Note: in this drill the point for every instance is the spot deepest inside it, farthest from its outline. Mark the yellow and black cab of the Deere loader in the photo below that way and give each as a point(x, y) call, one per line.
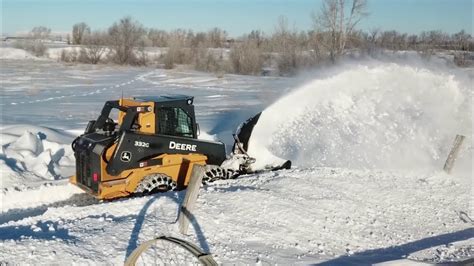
point(165, 115)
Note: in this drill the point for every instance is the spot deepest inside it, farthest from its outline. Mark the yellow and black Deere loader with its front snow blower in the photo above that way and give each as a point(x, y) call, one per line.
point(153, 147)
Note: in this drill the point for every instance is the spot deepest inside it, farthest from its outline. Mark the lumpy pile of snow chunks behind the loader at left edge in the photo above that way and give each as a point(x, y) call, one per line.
point(34, 153)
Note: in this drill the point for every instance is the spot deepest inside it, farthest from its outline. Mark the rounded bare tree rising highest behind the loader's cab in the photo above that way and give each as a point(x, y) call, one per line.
point(125, 35)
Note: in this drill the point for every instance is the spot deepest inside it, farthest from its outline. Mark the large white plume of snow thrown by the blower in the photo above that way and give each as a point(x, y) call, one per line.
point(388, 116)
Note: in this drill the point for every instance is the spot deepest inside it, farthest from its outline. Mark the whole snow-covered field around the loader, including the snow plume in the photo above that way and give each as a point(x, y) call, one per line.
point(367, 139)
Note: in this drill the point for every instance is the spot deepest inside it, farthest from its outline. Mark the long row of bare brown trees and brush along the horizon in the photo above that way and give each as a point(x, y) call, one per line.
point(334, 34)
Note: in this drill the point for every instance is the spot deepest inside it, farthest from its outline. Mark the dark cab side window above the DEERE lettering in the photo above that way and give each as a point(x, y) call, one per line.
point(174, 122)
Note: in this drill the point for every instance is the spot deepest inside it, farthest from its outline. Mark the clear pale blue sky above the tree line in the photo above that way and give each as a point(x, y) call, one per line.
point(237, 17)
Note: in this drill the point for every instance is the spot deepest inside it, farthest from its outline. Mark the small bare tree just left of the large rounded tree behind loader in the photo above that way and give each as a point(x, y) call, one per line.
point(94, 46)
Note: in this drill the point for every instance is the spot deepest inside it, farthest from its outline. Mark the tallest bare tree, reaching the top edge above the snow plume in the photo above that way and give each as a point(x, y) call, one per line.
point(334, 19)
